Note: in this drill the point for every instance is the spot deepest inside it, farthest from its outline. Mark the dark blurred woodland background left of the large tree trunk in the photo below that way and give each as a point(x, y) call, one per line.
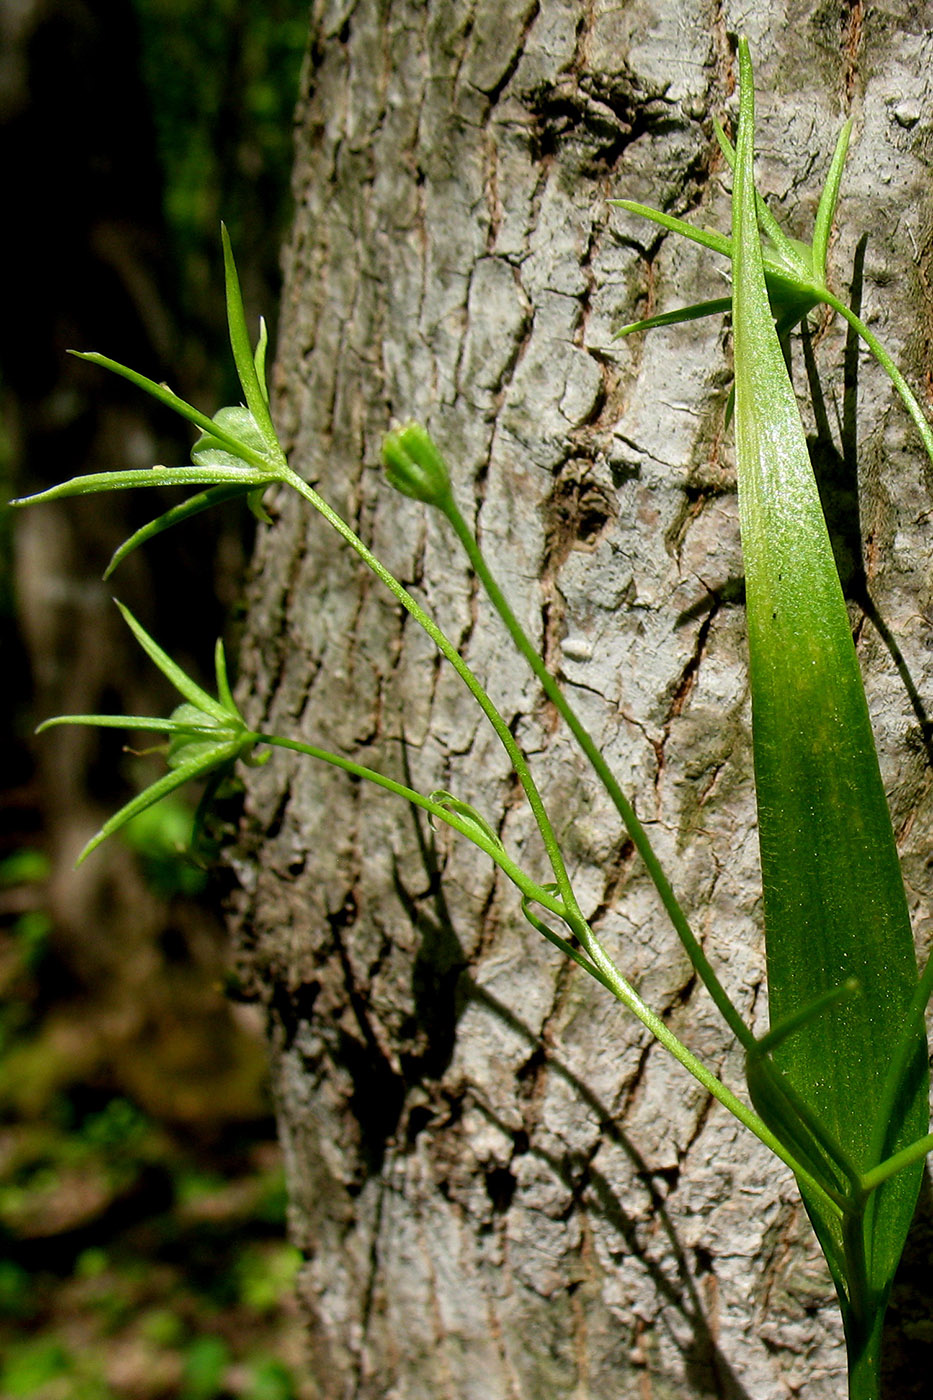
point(142, 1210)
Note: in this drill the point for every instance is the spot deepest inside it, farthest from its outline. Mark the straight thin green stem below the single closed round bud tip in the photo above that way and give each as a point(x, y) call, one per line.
point(604, 773)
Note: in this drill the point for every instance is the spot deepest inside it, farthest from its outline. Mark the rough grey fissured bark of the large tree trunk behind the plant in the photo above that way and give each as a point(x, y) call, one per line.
point(504, 1188)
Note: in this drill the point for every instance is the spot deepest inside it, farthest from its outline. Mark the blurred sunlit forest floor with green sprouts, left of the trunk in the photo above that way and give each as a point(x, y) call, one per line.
point(142, 1258)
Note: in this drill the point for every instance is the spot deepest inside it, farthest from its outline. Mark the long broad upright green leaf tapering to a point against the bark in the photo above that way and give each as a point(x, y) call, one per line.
point(833, 891)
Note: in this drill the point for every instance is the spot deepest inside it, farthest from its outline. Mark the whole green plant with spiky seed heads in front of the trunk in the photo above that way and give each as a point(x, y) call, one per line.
point(840, 1083)
